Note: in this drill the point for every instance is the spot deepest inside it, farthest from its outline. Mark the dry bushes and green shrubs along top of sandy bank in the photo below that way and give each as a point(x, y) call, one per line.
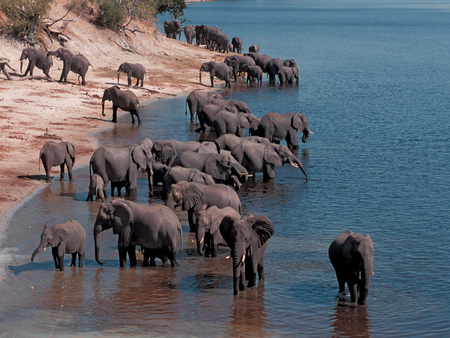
point(26, 20)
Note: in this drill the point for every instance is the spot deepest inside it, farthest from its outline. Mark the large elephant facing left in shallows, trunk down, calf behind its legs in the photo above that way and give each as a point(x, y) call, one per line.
point(152, 226)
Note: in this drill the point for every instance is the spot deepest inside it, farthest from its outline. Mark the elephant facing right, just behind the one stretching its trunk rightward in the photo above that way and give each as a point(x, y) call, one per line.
point(277, 127)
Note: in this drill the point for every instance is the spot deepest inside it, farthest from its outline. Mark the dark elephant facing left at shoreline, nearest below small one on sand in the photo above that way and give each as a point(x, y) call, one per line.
point(123, 99)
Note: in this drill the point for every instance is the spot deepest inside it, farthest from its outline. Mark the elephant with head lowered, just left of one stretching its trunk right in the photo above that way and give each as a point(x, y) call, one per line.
point(222, 167)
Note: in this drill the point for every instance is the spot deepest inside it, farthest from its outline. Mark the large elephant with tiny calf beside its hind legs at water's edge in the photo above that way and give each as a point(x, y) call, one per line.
point(121, 164)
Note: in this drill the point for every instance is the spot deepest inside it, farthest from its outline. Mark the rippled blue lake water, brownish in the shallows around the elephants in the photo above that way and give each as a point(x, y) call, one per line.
point(375, 84)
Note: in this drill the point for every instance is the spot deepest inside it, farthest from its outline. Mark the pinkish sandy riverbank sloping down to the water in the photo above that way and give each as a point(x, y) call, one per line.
point(35, 111)
